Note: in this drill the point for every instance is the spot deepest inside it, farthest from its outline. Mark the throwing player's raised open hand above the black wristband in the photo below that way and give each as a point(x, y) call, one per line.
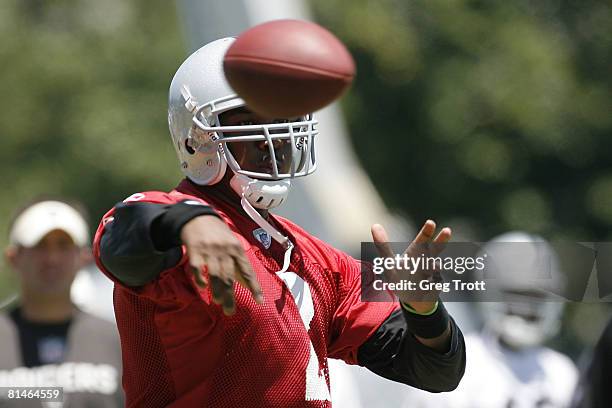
point(421, 301)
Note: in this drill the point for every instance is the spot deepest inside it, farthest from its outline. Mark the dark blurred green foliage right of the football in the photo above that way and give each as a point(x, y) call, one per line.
point(496, 112)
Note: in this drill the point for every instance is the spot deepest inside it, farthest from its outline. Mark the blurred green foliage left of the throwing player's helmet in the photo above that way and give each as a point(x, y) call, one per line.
point(84, 106)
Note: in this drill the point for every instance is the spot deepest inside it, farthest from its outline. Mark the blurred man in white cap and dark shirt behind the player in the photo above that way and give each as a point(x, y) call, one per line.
point(46, 341)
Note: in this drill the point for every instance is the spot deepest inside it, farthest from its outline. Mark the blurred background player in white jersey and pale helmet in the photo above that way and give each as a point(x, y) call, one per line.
point(508, 365)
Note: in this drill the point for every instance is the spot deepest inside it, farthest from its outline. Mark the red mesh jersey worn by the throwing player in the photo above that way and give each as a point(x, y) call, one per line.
point(180, 350)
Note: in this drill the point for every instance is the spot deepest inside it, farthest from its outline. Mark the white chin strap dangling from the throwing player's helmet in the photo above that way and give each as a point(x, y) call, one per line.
point(264, 195)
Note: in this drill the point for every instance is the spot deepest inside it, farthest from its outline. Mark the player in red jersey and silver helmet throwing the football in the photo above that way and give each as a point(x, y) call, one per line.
point(220, 303)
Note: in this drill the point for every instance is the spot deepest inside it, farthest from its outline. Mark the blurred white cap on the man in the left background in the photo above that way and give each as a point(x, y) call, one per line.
point(41, 218)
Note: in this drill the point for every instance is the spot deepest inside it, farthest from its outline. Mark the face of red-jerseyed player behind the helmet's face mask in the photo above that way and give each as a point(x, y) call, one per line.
point(255, 156)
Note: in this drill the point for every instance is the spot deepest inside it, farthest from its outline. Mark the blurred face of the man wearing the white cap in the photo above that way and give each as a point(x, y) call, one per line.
point(50, 266)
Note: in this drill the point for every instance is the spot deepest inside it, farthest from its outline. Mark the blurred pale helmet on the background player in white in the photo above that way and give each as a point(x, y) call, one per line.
point(524, 272)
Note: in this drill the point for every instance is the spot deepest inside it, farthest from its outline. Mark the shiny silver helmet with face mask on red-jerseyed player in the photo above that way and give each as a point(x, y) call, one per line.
point(199, 95)
